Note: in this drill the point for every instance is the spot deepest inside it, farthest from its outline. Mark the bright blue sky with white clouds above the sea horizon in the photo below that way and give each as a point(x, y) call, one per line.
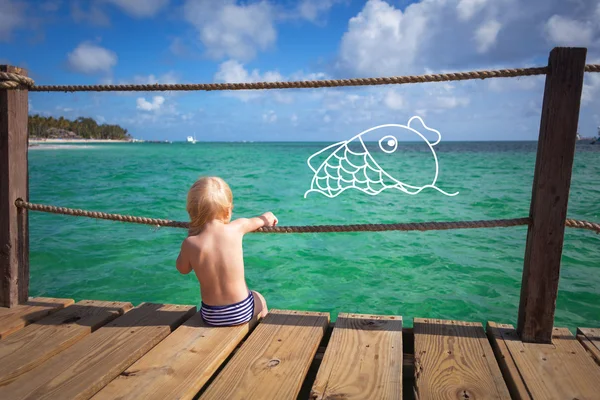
point(194, 41)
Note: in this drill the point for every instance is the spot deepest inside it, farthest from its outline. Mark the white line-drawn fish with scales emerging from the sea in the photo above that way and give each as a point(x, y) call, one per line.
point(350, 165)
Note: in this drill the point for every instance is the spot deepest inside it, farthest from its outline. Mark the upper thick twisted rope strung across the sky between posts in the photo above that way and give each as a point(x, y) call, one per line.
point(15, 81)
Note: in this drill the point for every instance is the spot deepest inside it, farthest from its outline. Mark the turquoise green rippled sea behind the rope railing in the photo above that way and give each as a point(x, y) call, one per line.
point(470, 275)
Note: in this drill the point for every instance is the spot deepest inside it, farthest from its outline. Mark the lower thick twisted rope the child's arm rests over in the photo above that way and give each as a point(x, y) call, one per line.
point(409, 226)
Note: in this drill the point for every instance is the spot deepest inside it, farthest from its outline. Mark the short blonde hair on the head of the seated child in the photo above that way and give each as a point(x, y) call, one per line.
point(209, 198)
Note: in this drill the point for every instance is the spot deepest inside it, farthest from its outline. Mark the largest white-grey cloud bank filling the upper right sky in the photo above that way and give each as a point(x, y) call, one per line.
point(385, 39)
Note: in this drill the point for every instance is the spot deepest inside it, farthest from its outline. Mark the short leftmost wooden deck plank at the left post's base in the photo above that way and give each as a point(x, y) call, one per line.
point(13, 319)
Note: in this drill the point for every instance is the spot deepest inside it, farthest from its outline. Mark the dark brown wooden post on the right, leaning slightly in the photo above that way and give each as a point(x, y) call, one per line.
point(551, 182)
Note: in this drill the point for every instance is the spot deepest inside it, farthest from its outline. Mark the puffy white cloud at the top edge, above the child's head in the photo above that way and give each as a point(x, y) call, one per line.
point(230, 30)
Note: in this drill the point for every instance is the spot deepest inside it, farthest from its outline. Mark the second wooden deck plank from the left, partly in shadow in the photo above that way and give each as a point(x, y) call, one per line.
point(31, 346)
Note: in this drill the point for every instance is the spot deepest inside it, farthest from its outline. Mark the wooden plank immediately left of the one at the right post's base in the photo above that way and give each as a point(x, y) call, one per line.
point(453, 360)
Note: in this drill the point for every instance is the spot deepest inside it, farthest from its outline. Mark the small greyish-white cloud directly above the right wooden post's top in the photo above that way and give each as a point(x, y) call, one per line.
point(564, 31)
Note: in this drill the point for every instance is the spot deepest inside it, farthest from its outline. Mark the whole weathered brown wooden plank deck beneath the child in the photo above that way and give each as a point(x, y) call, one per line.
point(55, 348)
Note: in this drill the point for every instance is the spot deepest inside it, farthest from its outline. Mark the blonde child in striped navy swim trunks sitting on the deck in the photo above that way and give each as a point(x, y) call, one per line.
point(213, 249)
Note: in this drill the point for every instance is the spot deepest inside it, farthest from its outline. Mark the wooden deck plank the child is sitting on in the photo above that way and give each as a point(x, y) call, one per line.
point(180, 365)
